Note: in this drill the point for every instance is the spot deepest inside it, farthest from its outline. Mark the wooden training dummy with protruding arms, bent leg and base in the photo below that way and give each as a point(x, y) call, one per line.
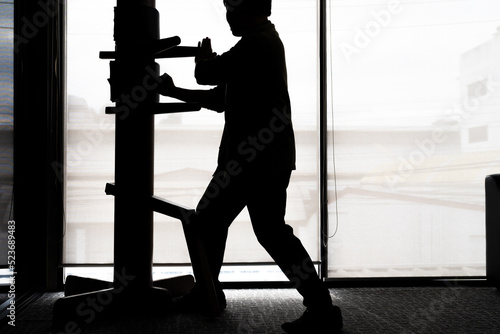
point(134, 78)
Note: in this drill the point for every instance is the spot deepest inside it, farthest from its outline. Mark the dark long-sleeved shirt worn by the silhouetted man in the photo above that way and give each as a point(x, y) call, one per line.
point(251, 80)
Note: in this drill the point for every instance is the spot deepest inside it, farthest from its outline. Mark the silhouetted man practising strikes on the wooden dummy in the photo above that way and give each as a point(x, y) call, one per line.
point(256, 158)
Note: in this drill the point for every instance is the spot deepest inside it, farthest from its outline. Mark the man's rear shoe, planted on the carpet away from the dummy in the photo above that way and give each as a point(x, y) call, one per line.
point(316, 321)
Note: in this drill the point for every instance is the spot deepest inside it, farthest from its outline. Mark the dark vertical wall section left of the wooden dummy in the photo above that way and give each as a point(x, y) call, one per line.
point(38, 143)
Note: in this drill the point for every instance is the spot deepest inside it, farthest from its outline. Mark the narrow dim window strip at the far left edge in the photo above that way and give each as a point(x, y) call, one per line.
point(6, 128)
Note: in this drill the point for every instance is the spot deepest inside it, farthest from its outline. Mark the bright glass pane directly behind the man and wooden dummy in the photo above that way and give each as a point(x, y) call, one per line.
point(186, 144)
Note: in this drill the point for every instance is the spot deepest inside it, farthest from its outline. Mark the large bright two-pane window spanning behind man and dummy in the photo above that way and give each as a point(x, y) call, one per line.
point(413, 117)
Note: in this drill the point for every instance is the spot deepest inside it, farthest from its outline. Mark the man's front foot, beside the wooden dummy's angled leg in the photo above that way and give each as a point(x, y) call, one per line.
point(197, 301)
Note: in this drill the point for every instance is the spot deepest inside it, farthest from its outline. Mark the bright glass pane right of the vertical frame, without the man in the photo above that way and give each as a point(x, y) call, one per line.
point(415, 95)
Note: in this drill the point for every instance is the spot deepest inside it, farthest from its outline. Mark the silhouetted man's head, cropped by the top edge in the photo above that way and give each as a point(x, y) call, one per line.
point(244, 14)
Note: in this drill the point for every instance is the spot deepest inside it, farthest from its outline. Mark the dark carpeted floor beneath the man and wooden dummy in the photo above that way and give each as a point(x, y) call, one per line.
point(401, 310)
